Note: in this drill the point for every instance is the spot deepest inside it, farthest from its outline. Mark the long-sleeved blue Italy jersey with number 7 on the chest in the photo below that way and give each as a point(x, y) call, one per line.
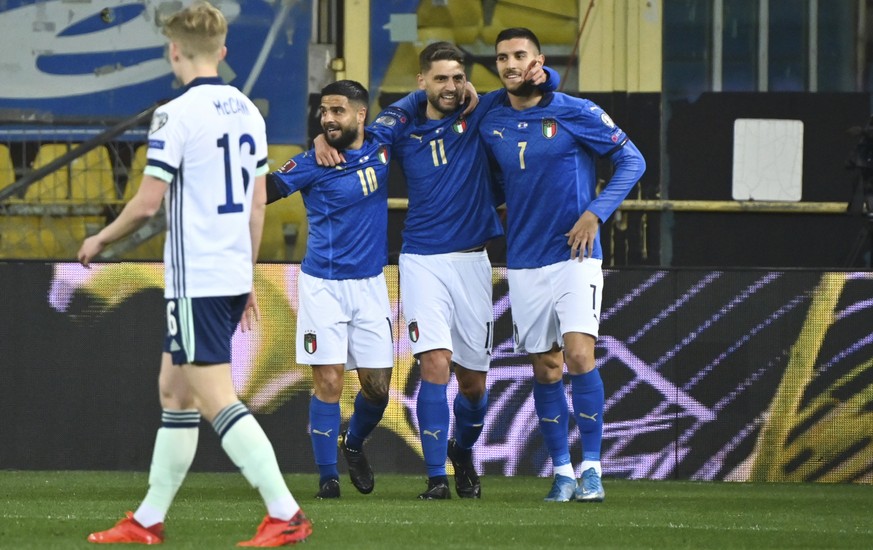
point(546, 156)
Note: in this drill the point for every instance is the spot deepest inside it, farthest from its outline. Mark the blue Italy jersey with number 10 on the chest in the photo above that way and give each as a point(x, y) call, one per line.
point(347, 211)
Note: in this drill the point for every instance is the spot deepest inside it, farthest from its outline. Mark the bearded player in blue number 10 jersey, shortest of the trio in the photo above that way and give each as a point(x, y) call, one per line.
point(344, 318)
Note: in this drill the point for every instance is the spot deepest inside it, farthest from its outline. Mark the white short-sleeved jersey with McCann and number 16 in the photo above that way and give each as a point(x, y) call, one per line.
point(209, 145)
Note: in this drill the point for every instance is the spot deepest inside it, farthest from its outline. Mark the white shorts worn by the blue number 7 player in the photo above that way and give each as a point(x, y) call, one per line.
point(550, 301)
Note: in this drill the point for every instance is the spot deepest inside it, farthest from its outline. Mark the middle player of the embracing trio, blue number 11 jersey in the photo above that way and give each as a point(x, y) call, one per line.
point(445, 273)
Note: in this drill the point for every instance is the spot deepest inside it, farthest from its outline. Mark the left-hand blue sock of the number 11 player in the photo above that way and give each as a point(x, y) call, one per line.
point(433, 425)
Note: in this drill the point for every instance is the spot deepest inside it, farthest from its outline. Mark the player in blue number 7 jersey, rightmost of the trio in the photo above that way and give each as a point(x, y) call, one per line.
point(546, 146)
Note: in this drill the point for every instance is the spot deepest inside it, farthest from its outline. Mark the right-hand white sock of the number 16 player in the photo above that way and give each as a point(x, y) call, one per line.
point(248, 447)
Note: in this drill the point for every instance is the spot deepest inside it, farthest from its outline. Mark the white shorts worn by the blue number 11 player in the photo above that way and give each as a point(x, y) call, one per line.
point(446, 301)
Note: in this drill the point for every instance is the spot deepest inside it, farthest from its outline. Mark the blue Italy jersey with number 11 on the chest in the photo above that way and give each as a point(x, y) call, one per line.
point(451, 203)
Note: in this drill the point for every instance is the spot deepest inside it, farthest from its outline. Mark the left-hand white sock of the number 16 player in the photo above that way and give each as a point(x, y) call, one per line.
point(175, 447)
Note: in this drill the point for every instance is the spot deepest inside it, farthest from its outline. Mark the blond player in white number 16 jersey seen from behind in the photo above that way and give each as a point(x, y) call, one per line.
point(207, 159)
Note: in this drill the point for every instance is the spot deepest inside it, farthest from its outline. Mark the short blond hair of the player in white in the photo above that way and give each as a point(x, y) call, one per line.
point(199, 30)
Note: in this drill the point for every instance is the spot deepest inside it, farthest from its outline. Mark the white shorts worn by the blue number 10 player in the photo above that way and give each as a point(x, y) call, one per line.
point(344, 322)
